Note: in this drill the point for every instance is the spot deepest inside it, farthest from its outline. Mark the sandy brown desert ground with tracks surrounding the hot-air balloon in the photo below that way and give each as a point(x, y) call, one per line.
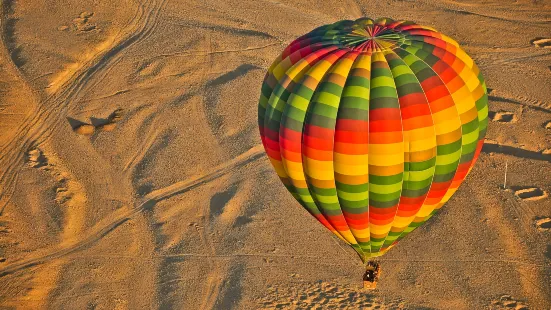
point(132, 176)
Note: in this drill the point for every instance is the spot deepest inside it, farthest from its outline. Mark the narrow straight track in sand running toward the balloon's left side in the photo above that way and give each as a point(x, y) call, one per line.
point(121, 216)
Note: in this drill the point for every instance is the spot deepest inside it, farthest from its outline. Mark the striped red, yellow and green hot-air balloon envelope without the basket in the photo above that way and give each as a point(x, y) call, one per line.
point(372, 125)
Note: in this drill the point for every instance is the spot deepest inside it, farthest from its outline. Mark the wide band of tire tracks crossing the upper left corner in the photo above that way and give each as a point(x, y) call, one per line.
point(53, 109)
